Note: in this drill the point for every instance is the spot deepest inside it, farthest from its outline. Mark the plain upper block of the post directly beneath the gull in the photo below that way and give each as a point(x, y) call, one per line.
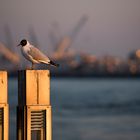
point(34, 87)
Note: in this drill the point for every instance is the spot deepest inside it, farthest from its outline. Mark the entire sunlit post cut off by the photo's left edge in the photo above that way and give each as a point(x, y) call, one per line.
point(4, 107)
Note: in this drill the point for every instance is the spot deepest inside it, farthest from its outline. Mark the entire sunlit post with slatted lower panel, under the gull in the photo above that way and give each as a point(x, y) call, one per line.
point(34, 108)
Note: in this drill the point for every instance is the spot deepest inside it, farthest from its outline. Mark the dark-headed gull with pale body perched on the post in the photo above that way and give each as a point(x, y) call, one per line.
point(34, 55)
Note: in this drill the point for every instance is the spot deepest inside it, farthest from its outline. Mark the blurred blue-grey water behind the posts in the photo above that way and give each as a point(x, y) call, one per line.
point(90, 109)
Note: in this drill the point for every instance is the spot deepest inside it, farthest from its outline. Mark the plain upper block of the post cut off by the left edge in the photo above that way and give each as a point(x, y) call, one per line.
point(3, 87)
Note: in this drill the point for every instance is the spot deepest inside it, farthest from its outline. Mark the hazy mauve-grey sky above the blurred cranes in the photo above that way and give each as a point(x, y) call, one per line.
point(113, 26)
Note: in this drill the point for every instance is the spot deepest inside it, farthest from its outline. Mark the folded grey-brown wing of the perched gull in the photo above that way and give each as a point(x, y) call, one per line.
point(38, 55)
